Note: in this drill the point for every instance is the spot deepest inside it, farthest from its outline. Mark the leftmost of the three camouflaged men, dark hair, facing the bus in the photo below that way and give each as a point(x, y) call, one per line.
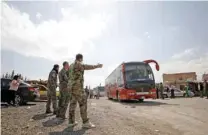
point(52, 84)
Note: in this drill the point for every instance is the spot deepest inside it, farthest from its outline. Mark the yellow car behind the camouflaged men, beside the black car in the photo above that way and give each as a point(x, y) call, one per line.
point(43, 91)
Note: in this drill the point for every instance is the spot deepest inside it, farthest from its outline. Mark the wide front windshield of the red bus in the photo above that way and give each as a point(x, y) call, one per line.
point(138, 72)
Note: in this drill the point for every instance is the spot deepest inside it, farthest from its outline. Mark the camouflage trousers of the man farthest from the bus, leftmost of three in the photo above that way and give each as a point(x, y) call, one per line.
point(51, 98)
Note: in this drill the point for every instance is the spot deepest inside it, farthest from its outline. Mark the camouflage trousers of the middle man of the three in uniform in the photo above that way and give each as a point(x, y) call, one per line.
point(64, 98)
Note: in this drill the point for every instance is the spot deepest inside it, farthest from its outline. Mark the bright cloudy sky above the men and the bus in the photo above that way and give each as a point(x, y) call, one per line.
point(35, 35)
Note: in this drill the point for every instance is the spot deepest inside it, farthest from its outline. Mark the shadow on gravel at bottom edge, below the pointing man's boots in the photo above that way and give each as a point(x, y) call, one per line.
point(69, 131)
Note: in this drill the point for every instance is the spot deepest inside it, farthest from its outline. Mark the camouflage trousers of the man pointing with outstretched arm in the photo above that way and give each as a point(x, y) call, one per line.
point(82, 100)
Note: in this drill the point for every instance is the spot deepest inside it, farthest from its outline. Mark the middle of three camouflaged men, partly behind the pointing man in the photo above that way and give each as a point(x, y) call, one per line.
point(64, 91)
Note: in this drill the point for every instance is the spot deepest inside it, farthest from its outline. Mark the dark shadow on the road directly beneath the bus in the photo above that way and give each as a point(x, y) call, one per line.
point(144, 103)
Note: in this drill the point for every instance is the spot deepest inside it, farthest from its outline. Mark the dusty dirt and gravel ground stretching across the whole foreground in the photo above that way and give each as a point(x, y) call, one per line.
point(153, 117)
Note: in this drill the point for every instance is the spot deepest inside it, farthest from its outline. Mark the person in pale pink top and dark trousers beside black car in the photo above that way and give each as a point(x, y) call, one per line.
point(13, 90)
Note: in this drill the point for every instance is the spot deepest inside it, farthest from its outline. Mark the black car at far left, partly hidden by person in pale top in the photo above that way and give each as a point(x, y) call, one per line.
point(25, 92)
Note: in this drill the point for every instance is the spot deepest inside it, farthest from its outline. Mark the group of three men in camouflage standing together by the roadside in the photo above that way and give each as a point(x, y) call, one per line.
point(71, 81)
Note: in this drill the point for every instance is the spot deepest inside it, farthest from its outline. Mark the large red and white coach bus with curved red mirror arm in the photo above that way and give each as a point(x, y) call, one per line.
point(131, 81)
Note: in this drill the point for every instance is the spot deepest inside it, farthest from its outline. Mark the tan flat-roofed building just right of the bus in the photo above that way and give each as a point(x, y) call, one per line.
point(179, 79)
